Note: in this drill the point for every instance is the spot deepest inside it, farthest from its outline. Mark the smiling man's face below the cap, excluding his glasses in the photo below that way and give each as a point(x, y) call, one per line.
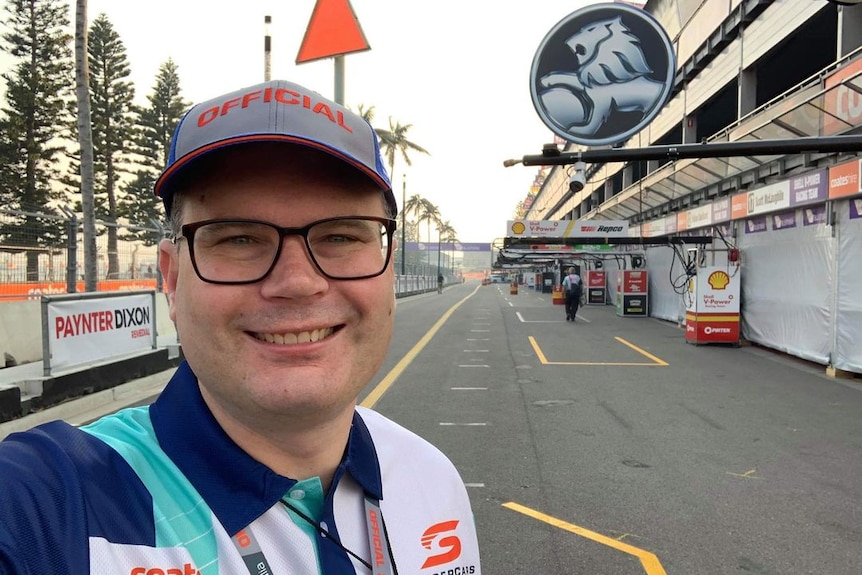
point(224, 328)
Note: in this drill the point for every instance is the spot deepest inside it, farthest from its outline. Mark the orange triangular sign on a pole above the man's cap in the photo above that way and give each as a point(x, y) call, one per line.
point(332, 31)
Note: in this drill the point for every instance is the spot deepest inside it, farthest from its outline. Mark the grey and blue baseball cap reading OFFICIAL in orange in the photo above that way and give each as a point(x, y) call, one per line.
point(276, 111)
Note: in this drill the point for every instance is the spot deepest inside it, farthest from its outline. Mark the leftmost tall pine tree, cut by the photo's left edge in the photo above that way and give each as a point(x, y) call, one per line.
point(34, 120)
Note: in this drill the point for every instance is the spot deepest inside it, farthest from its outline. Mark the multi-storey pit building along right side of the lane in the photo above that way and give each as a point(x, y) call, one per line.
point(749, 70)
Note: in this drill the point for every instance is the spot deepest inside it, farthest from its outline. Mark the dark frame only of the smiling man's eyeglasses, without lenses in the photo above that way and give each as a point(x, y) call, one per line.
point(187, 232)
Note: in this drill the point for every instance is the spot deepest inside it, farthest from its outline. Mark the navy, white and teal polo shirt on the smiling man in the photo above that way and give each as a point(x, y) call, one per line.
point(162, 490)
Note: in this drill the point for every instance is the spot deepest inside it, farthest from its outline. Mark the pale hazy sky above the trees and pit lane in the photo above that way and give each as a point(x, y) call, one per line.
point(457, 70)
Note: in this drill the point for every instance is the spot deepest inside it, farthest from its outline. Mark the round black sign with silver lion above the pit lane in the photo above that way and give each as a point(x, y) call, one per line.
point(602, 74)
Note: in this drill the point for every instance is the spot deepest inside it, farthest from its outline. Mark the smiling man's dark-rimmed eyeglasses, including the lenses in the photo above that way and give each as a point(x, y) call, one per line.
point(246, 251)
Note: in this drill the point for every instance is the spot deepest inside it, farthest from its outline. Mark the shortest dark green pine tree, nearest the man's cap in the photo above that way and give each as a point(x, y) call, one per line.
point(156, 124)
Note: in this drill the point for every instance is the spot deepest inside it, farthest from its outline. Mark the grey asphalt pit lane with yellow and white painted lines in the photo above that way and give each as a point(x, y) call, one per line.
point(610, 446)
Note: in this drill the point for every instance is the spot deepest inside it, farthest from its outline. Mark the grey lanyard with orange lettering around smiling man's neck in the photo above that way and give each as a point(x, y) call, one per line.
point(382, 561)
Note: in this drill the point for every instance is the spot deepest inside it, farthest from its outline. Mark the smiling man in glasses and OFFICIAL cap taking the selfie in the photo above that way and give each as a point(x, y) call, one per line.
point(255, 458)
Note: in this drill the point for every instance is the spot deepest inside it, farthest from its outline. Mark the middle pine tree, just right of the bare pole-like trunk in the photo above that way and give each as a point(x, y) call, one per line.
point(113, 124)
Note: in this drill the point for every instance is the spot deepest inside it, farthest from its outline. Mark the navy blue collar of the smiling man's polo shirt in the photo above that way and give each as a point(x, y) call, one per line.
point(235, 486)
